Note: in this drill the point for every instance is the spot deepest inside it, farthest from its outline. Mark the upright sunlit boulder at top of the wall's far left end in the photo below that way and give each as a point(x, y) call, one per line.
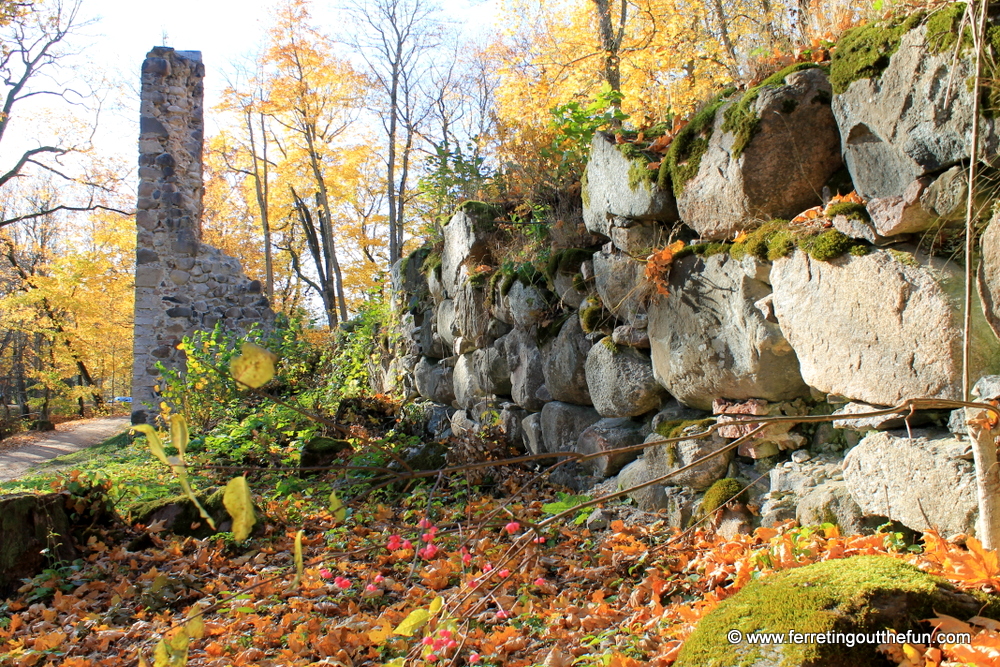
point(466, 242)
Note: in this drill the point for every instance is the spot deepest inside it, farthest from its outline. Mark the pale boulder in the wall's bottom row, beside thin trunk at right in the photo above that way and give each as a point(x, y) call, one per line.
point(925, 483)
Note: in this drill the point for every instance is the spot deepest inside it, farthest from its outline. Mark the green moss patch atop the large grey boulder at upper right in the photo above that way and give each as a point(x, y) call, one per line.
point(864, 52)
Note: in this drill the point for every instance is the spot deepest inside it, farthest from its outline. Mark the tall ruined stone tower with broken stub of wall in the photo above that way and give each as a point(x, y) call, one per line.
point(181, 284)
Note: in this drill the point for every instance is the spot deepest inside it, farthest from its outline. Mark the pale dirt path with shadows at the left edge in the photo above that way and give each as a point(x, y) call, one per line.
point(22, 454)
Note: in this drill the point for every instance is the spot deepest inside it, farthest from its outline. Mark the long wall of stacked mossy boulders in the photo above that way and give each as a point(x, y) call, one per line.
point(847, 309)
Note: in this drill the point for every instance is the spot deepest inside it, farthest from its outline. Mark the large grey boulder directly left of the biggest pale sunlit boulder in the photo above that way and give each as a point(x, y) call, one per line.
point(714, 336)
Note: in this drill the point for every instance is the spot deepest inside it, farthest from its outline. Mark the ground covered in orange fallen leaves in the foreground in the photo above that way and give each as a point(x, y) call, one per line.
point(437, 576)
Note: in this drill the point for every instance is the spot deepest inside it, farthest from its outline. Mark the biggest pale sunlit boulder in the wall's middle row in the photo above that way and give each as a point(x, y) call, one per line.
point(878, 328)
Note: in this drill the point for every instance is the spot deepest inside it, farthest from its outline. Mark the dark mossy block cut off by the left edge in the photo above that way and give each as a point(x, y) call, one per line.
point(34, 532)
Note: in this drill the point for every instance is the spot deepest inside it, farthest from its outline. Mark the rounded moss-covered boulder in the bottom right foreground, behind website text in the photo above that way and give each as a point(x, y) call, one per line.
point(860, 594)
